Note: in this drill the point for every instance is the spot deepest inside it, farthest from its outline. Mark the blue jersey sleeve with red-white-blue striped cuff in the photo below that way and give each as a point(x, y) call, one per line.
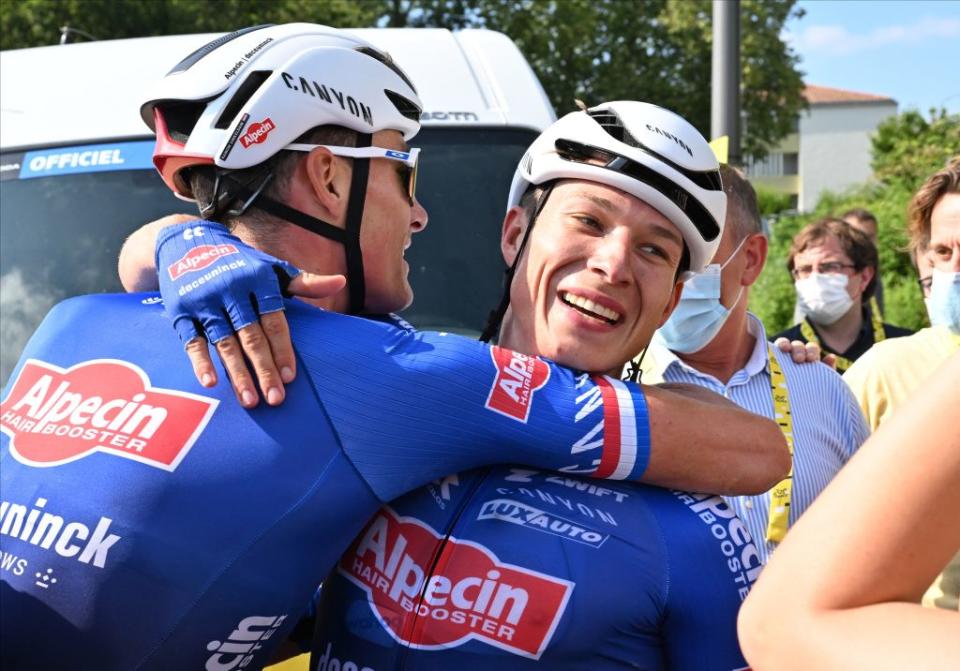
point(409, 407)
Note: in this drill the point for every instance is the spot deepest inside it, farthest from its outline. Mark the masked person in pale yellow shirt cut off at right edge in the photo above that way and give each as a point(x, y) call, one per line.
point(890, 373)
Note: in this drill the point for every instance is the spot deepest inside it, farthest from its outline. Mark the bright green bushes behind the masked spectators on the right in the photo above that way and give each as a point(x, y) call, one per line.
point(906, 149)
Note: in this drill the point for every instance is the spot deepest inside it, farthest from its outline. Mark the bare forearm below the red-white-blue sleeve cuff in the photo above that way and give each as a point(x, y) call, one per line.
point(701, 441)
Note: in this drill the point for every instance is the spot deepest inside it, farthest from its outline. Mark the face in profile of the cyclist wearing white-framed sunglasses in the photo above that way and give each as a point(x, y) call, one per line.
point(389, 221)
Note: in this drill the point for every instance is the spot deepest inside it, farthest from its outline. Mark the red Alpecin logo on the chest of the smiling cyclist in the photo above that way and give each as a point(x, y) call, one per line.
point(471, 594)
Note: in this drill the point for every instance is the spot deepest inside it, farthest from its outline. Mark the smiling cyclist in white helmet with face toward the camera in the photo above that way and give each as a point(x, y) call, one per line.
point(515, 568)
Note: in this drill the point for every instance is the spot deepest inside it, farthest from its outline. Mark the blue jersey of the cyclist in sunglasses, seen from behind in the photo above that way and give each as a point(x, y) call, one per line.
point(148, 522)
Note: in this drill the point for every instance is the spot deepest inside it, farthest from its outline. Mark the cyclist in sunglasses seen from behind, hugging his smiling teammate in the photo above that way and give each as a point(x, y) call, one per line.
point(127, 483)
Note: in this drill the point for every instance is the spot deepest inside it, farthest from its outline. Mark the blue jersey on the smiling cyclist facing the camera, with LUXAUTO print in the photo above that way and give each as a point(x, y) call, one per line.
point(511, 568)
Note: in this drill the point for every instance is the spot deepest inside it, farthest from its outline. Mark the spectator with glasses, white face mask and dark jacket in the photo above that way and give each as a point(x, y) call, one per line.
point(834, 268)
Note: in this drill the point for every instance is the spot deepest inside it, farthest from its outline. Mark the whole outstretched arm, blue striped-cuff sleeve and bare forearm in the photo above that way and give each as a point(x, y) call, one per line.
point(410, 407)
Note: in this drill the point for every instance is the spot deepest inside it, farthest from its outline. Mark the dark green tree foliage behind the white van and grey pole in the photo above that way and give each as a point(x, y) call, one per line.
point(593, 50)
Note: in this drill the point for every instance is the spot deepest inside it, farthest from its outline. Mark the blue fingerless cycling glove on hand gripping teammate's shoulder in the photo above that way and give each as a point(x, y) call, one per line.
point(214, 284)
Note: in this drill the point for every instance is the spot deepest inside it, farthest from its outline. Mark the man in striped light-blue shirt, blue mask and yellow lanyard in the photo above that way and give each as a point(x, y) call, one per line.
point(713, 341)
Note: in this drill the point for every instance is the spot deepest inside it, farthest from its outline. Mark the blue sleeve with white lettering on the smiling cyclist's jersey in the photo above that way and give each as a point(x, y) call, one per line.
point(713, 563)
